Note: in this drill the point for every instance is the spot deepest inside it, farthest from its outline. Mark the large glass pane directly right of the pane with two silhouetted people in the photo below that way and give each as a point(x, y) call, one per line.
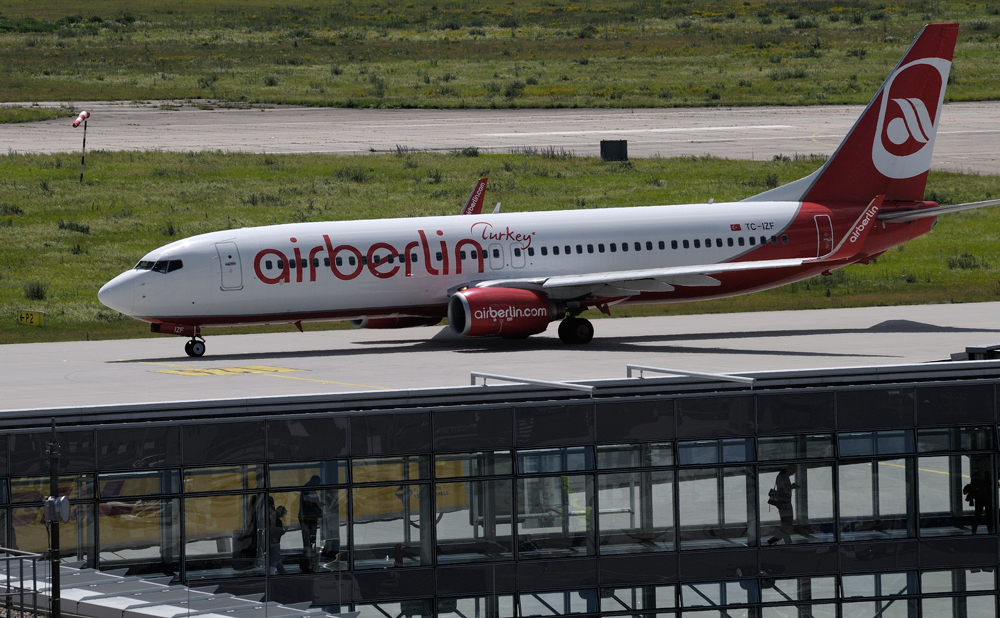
point(391, 526)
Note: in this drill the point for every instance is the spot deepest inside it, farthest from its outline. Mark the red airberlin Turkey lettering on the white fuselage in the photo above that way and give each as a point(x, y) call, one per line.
point(376, 258)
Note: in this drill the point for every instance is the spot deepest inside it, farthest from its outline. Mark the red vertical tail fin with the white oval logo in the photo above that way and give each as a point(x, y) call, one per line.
point(888, 151)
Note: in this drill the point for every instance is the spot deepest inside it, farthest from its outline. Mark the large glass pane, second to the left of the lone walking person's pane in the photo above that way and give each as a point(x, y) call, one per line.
point(636, 511)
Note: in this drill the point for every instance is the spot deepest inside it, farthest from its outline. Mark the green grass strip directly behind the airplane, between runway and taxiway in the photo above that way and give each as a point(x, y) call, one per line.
point(60, 240)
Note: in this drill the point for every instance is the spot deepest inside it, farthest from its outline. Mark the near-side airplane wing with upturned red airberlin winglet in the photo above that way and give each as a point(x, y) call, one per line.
point(627, 282)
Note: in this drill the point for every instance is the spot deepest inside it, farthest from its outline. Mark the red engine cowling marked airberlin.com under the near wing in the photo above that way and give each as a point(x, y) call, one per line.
point(499, 312)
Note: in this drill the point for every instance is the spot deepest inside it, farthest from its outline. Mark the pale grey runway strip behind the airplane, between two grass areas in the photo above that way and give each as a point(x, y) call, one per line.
point(966, 140)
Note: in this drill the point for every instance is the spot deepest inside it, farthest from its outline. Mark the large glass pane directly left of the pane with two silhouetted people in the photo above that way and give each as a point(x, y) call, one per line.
point(224, 536)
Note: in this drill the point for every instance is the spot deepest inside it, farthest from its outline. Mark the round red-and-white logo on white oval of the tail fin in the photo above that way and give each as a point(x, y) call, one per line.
point(907, 124)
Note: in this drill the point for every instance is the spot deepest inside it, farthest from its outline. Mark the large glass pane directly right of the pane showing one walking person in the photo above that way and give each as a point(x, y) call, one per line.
point(880, 504)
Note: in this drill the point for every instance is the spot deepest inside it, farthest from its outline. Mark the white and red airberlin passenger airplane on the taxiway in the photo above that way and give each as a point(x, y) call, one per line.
point(511, 274)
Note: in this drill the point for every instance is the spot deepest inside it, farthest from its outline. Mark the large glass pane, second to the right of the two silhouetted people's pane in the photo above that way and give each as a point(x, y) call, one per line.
point(474, 521)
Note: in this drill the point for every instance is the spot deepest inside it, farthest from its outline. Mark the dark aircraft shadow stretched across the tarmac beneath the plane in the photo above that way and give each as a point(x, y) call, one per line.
point(444, 340)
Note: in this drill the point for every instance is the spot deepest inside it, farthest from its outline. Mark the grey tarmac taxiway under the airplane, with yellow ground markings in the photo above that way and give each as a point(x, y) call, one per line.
point(47, 375)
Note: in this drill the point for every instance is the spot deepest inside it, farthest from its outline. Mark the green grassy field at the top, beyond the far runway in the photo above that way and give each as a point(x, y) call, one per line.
point(455, 53)
